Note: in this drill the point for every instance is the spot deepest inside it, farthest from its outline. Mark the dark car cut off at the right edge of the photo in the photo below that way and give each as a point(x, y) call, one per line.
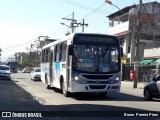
point(152, 89)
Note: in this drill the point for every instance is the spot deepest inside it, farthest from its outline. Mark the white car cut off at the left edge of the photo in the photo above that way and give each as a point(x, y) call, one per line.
point(5, 72)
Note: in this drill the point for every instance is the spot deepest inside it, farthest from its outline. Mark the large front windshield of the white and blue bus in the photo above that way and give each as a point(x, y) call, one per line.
point(94, 59)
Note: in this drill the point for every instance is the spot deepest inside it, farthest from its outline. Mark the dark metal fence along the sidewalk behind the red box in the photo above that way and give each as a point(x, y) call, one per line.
point(130, 66)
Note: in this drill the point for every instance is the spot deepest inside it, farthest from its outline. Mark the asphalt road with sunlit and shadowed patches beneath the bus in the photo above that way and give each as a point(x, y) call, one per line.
point(22, 94)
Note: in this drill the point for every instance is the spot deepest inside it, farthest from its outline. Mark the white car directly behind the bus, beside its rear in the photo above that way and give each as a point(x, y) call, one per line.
point(36, 73)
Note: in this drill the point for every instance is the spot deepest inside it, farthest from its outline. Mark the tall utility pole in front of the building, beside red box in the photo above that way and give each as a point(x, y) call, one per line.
point(137, 44)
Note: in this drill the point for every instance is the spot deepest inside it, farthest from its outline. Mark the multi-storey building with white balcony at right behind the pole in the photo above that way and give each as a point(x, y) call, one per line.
point(123, 23)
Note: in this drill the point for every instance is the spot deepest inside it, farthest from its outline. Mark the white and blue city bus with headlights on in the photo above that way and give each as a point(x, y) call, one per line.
point(83, 62)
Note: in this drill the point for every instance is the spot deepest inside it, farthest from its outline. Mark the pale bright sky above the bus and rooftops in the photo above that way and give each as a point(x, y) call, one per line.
point(23, 21)
